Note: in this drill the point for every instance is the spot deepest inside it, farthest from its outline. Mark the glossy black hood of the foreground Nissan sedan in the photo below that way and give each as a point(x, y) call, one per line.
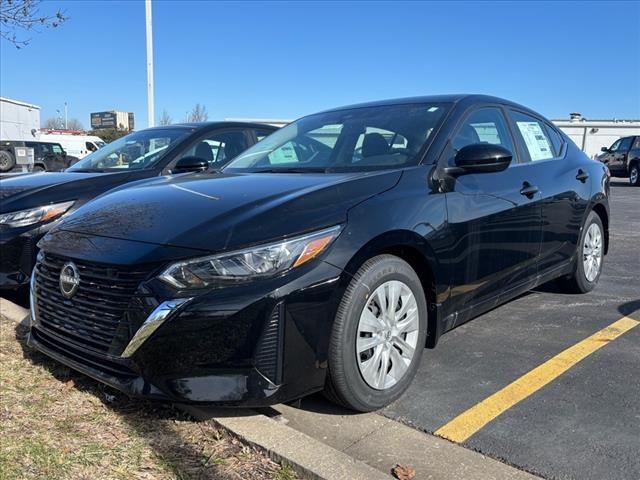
point(225, 211)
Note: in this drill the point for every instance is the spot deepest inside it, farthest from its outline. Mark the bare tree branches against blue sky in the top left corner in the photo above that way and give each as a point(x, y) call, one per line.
point(24, 15)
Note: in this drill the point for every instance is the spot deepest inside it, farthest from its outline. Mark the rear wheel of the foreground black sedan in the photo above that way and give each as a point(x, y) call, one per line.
point(583, 280)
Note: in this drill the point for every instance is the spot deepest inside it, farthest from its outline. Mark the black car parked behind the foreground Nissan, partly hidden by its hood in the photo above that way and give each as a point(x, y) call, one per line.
point(31, 204)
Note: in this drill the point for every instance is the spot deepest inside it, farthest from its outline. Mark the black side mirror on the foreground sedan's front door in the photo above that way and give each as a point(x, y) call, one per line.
point(480, 158)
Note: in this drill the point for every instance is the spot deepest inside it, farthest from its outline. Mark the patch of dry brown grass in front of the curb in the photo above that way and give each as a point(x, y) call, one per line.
point(56, 423)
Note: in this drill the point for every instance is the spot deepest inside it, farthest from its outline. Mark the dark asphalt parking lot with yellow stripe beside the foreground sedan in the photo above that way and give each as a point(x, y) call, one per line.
point(569, 419)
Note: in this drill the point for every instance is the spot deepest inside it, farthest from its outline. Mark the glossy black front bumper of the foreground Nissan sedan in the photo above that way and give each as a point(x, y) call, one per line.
point(251, 345)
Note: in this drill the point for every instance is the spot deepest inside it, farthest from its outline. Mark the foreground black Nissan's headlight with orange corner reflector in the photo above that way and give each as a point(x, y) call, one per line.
point(246, 265)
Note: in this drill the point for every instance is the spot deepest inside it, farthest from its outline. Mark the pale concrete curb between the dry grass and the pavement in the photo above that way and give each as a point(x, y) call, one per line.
point(308, 457)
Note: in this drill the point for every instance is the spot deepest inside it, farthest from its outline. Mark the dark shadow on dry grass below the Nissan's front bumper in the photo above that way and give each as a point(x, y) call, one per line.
point(146, 418)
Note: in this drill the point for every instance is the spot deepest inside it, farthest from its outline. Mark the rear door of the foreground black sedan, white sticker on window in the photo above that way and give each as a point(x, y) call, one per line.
point(564, 186)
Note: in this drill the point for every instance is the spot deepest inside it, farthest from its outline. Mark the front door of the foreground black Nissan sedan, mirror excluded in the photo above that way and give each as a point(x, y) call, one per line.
point(495, 218)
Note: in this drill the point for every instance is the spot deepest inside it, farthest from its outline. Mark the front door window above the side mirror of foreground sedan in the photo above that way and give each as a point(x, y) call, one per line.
point(486, 125)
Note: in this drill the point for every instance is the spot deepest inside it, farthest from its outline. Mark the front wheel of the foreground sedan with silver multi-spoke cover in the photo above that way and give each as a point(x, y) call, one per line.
point(354, 379)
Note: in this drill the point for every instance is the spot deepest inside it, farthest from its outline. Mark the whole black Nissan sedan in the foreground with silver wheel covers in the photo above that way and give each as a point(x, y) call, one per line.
point(324, 257)
